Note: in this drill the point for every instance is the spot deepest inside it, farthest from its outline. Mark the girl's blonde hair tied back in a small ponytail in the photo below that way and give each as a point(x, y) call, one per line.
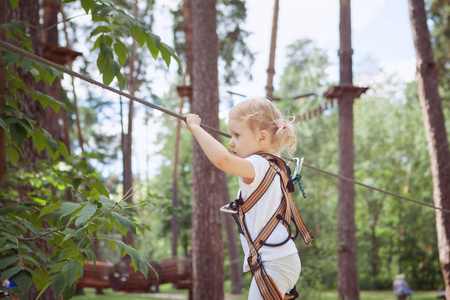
point(261, 114)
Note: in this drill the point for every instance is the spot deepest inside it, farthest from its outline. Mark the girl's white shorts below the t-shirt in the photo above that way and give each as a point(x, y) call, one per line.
point(284, 271)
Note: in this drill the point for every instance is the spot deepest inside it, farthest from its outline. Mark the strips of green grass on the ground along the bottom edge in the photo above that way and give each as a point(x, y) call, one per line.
point(168, 290)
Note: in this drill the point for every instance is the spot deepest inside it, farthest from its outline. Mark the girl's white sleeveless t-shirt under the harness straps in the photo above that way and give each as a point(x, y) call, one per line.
point(258, 216)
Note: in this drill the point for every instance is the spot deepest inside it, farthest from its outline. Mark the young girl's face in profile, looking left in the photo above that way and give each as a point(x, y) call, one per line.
point(245, 142)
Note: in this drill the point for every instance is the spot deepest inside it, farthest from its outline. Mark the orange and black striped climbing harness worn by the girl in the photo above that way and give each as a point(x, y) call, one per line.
point(285, 213)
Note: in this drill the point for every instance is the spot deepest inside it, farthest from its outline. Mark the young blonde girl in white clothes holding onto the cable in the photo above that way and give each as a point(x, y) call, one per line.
point(256, 126)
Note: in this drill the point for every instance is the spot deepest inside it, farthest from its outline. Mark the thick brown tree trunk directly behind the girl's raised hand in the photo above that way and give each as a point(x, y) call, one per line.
point(207, 245)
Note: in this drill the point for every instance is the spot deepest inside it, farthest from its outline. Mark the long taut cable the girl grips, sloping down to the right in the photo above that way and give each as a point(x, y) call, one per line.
point(34, 57)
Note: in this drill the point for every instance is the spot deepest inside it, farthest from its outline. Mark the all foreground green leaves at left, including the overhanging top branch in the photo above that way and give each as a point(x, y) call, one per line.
point(49, 213)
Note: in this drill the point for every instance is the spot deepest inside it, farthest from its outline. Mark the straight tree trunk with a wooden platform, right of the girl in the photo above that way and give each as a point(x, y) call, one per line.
point(348, 287)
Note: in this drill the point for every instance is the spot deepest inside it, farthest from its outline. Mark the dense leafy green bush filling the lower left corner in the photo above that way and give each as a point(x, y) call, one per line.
point(35, 215)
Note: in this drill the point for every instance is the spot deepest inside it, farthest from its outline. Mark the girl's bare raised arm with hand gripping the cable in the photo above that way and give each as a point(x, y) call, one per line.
point(217, 153)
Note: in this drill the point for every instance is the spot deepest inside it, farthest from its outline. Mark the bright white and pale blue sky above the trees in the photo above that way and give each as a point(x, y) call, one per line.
point(381, 32)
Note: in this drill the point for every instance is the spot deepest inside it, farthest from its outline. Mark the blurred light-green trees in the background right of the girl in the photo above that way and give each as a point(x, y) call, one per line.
point(390, 153)
